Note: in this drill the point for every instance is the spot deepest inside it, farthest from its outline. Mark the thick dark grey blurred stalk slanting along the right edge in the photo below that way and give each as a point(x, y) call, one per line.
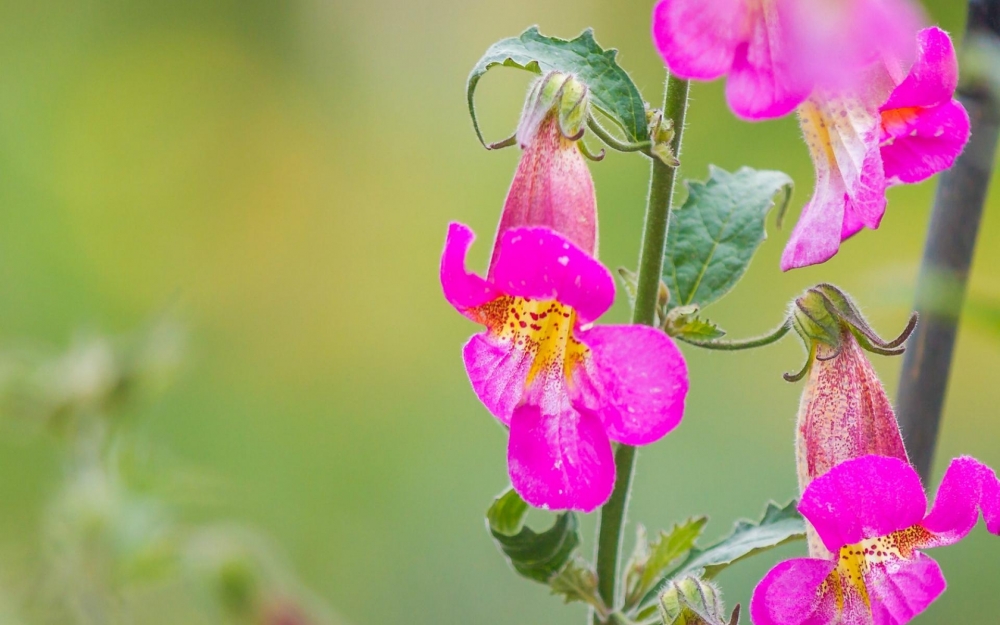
point(951, 240)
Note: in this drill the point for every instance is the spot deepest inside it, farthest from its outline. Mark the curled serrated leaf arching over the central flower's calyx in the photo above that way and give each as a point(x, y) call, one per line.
point(611, 89)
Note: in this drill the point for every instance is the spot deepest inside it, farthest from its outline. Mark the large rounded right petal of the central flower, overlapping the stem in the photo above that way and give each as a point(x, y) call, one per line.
point(643, 380)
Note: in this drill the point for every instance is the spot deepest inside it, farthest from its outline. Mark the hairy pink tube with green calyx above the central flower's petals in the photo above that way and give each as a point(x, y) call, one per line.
point(552, 186)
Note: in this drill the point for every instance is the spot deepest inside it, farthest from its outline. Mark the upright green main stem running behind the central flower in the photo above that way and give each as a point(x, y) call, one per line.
point(654, 238)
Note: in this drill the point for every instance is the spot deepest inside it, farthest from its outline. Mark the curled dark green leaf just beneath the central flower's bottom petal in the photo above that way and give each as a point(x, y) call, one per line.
point(537, 556)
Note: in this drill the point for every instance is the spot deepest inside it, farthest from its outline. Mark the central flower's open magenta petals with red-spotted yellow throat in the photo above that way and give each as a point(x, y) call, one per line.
point(564, 388)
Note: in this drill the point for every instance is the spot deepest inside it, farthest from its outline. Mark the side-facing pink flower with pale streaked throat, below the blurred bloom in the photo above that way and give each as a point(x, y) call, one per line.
point(894, 130)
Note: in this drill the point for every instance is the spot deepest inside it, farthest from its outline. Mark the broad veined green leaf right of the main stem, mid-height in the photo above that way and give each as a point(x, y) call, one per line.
point(714, 235)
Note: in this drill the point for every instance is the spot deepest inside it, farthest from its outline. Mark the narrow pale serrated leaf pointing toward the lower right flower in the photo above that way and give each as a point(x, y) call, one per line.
point(778, 526)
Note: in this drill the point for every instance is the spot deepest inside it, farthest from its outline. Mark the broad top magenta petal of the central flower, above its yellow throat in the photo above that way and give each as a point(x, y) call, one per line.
point(537, 263)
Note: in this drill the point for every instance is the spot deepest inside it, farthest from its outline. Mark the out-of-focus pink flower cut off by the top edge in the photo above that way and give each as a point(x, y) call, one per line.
point(776, 51)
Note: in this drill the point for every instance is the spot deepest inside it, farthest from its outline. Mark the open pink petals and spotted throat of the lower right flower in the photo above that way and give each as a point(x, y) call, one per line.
point(871, 513)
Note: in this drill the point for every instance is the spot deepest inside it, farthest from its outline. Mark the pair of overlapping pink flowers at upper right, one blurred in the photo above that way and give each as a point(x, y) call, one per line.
point(874, 96)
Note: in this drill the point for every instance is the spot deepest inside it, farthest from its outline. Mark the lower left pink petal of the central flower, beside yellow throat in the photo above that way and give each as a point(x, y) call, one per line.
point(498, 371)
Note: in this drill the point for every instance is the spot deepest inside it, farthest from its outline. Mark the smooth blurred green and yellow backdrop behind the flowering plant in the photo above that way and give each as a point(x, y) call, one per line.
point(278, 176)
